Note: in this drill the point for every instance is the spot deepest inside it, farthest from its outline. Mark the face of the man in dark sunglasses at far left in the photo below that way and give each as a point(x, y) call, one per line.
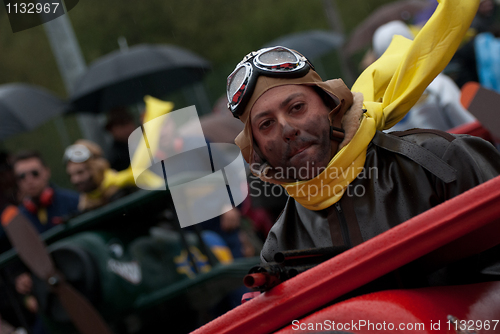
point(32, 176)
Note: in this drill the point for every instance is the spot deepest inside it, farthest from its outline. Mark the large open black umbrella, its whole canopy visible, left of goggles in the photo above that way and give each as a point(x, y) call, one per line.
point(125, 77)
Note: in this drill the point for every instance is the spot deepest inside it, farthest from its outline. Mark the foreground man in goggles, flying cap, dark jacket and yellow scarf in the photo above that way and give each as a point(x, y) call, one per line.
point(323, 142)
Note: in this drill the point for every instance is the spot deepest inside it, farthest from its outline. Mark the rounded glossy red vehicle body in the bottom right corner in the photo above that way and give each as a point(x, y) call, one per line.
point(451, 309)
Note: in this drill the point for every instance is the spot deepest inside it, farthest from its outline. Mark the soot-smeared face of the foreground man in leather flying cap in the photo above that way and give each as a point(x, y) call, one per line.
point(290, 126)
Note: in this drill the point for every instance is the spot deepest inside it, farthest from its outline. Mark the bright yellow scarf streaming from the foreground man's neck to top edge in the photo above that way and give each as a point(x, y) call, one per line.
point(390, 86)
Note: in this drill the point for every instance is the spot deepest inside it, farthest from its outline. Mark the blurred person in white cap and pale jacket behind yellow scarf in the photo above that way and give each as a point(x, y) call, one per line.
point(439, 107)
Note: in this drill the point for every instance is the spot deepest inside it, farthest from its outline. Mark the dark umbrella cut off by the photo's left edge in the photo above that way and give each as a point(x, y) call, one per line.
point(24, 107)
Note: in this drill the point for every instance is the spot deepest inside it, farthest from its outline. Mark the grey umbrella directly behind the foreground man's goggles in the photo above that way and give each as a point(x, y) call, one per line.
point(312, 44)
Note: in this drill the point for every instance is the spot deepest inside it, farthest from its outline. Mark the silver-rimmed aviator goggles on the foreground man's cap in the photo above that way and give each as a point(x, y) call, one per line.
point(276, 61)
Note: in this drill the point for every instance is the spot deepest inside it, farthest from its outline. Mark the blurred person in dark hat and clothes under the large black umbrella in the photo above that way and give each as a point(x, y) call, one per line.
point(120, 125)
